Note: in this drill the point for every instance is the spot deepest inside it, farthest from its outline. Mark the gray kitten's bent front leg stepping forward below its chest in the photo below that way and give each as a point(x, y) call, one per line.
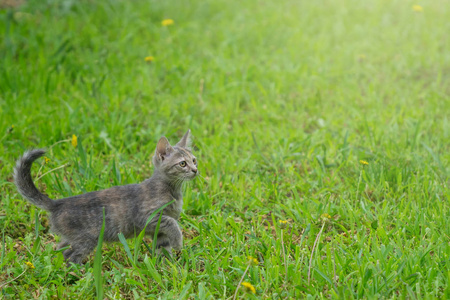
point(169, 234)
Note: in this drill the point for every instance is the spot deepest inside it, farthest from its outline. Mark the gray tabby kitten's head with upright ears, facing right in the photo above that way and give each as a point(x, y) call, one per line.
point(177, 163)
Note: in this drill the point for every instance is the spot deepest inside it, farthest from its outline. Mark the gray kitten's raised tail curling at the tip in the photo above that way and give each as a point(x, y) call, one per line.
point(24, 182)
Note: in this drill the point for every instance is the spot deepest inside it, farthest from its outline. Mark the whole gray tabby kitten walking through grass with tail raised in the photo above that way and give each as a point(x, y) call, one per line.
point(79, 219)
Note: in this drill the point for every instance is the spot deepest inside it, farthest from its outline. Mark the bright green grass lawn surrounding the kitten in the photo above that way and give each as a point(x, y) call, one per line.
point(284, 99)
